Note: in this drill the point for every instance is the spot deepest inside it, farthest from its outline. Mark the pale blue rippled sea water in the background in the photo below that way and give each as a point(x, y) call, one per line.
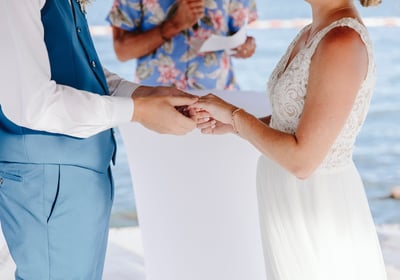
point(377, 153)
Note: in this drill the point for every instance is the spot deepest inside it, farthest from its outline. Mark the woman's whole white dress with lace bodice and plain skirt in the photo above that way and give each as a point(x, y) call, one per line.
point(319, 228)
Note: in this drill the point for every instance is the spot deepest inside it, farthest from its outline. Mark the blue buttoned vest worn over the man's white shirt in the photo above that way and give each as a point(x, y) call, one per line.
point(73, 62)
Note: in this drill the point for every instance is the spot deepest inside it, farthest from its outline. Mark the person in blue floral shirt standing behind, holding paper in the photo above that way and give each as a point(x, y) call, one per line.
point(164, 37)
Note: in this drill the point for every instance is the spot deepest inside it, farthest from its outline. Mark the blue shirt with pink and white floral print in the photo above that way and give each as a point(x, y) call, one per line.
point(177, 61)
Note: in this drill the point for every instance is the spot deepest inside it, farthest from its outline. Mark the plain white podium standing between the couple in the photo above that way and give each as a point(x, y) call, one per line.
point(196, 200)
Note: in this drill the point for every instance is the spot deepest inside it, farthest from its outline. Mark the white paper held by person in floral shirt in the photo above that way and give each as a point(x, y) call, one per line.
point(227, 43)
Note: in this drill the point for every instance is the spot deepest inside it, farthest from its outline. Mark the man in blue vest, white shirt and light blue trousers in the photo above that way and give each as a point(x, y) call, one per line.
point(57, 107)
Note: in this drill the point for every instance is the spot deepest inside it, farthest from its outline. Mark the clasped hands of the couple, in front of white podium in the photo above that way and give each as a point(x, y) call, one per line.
point(168, 110)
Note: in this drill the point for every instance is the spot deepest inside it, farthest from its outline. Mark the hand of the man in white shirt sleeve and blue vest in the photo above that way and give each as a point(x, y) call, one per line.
point(158, 109)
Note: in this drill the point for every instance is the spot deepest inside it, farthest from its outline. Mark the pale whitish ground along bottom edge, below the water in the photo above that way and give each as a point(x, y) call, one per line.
point(125, 258)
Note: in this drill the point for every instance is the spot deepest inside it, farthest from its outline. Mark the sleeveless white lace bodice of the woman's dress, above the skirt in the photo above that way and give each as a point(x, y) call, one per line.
point(288, 88)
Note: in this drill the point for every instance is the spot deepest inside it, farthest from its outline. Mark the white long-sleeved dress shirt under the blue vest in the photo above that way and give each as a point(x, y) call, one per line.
point(28, 96)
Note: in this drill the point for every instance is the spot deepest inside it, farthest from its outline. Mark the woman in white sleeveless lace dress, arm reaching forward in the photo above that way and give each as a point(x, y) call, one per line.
point(314, 215)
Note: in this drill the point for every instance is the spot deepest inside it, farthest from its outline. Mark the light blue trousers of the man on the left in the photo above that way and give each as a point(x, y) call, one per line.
point(55, 220)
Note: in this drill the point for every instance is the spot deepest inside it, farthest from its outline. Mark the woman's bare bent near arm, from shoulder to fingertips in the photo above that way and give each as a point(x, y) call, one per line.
point(332, 88)
